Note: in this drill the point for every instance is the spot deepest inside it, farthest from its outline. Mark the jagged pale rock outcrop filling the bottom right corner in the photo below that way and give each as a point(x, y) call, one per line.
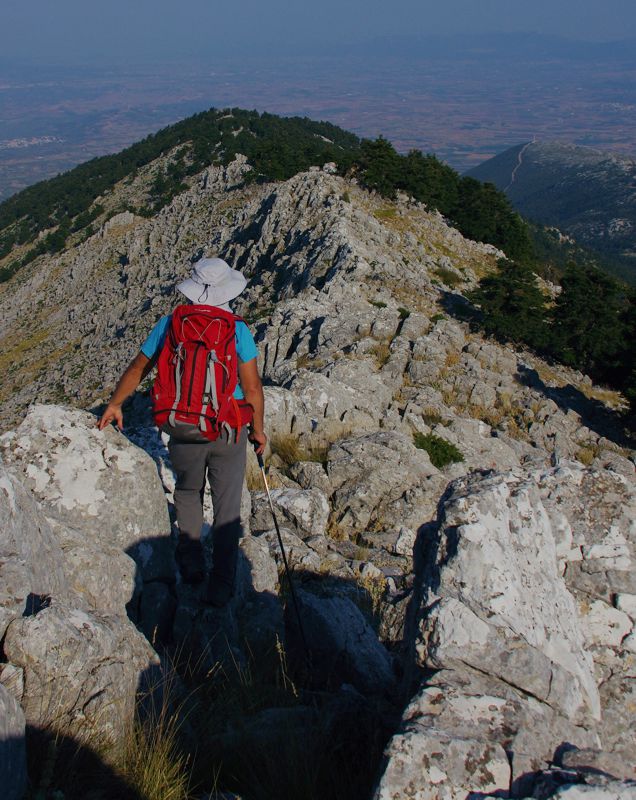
point(524, 669)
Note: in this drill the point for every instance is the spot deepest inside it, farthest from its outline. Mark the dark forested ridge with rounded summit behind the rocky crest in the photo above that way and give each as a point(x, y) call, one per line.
point(53, 214)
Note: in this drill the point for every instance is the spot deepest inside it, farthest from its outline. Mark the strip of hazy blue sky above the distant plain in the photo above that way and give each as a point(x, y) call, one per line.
point(115, 29)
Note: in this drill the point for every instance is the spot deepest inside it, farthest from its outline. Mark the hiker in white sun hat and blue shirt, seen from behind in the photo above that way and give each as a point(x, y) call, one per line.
point(196, 347)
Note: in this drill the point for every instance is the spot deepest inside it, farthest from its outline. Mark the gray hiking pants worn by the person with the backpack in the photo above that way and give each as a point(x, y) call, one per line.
point(223, 464)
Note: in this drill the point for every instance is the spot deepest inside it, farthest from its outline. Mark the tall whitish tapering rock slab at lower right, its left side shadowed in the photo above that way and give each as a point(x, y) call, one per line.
point(497, 602)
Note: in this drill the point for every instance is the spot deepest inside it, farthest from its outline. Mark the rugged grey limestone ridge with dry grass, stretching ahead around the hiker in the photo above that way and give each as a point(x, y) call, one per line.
point(506, 578)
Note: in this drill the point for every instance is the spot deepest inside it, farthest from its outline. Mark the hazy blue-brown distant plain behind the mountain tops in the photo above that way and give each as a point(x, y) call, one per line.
point(465, 104)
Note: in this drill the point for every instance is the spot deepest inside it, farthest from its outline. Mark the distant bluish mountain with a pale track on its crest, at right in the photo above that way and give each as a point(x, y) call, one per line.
point(588, 194)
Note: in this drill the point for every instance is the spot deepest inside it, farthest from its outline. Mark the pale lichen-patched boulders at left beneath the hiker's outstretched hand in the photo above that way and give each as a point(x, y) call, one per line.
point(72, 657)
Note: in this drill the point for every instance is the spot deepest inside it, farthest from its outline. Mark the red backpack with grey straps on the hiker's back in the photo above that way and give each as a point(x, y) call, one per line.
point(197, 372)
